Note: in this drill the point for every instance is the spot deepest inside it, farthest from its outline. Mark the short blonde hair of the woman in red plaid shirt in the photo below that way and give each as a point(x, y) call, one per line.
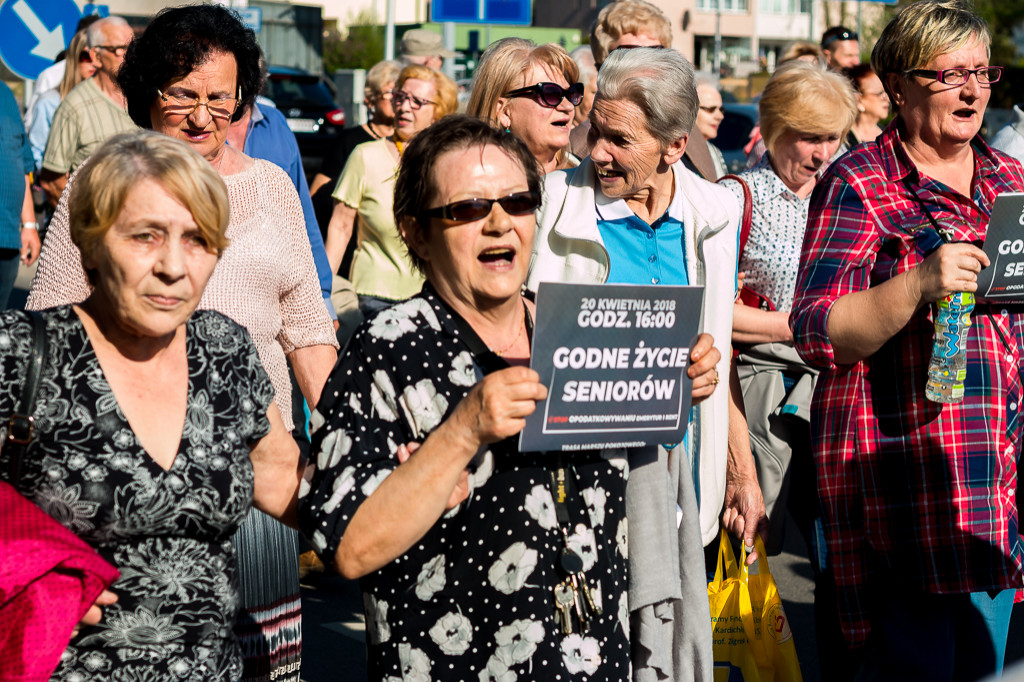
point(923, 31)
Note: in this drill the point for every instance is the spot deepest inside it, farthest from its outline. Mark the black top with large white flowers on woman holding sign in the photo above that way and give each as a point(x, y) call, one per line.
point(474, 599)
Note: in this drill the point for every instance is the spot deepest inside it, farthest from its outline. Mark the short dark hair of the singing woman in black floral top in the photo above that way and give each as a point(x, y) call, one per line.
point(416, 188)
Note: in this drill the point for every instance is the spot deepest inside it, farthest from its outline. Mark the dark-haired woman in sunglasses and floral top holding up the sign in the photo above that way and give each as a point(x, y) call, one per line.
point(468, 565)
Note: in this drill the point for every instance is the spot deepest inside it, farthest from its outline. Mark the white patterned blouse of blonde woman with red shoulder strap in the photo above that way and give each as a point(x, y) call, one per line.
point(779, 221)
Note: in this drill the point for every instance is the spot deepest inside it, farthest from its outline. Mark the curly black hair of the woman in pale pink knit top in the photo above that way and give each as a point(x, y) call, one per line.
point(179, 40)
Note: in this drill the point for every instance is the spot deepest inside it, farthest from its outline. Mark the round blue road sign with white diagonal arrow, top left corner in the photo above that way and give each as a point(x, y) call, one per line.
point(34, 32)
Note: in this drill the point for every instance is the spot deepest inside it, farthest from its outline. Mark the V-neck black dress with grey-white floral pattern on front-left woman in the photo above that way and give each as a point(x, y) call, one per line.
point(168, 532)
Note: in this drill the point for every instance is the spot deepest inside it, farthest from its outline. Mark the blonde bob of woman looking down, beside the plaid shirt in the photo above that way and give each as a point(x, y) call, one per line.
point(809, 99)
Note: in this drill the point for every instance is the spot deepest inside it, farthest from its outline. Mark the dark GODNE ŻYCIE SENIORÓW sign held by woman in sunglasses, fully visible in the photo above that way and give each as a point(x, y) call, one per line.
point(614, 359)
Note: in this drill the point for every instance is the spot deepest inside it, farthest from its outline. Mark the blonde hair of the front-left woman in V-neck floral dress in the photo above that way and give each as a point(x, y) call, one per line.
point(102, 188)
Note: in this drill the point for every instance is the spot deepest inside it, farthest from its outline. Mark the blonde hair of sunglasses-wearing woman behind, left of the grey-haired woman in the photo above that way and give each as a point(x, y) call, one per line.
point(503, 66)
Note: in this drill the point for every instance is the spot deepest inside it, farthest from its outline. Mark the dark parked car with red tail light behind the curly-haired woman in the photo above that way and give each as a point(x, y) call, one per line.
point(311, 111)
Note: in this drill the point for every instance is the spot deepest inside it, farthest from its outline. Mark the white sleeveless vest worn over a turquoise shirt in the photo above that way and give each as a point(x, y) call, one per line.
point(569, 248)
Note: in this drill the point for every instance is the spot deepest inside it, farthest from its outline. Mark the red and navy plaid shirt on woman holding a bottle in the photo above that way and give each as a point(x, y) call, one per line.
point(921, 492)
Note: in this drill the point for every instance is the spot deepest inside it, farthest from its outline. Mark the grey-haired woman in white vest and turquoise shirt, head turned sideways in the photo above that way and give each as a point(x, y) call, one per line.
point(632, 214)
